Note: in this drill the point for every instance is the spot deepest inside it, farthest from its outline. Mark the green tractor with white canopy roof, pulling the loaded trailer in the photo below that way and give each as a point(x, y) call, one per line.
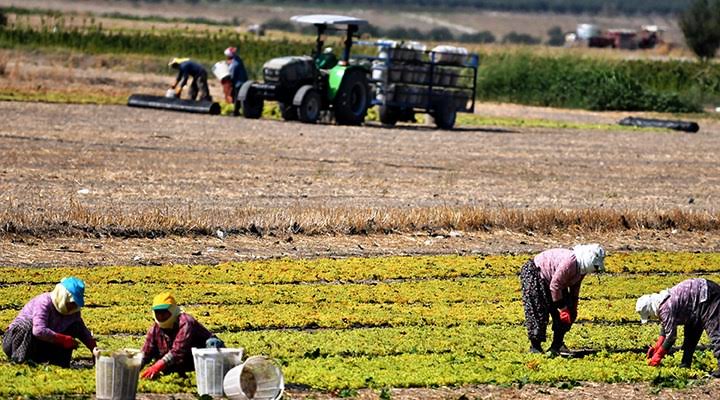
point(305, 87)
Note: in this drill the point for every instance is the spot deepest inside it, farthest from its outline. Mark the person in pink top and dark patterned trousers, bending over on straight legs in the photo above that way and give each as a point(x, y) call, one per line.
point(551, 286)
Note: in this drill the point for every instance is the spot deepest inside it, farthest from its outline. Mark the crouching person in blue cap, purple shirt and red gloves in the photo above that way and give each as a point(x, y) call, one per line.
point(47, 326)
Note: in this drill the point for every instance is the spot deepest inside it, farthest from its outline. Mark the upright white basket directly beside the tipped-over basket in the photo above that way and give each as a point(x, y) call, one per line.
point(211, 365)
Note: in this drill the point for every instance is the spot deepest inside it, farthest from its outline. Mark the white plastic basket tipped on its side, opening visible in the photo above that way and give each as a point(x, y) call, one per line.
point(258, 378)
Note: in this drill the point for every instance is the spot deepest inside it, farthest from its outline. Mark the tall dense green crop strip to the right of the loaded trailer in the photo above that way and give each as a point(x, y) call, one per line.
point(598, 84)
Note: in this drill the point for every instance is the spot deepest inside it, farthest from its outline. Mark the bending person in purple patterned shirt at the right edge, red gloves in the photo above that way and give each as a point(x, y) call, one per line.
point(694, 303)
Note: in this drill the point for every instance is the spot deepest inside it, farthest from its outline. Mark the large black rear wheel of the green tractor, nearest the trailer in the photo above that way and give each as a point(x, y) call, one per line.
point(351, 100)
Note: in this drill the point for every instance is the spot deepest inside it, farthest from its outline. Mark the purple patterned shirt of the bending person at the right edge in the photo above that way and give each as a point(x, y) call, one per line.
point(682, 307)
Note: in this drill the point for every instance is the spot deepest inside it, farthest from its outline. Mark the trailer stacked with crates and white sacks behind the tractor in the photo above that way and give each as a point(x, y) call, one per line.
point(409, 79)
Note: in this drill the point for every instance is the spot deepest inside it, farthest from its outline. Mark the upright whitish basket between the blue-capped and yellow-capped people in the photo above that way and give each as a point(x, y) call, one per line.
point(116, 374)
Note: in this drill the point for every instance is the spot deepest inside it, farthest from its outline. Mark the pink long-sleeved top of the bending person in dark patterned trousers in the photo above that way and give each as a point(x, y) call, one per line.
point(559, 269)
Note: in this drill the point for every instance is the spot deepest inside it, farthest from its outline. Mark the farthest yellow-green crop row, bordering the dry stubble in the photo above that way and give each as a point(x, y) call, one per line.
point(353, 269)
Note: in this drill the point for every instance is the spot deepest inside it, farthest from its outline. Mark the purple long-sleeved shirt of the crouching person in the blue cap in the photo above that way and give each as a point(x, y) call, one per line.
point(47, 321)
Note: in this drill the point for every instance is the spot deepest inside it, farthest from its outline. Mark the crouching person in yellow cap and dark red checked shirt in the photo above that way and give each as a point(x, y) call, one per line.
point(171, 338)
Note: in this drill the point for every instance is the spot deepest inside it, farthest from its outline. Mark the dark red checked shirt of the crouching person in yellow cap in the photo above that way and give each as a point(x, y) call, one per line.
point(175, 345)
